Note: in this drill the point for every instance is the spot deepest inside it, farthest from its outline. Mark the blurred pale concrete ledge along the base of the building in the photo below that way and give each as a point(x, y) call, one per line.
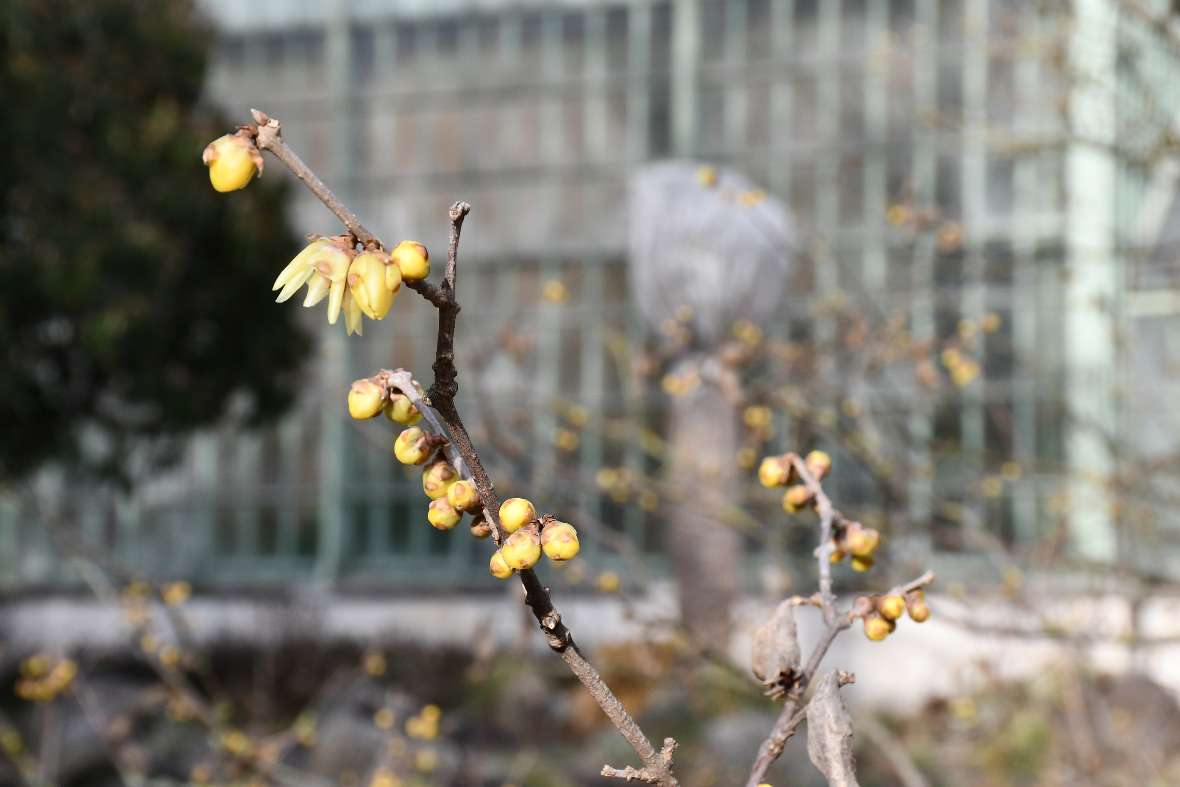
point(917, 664)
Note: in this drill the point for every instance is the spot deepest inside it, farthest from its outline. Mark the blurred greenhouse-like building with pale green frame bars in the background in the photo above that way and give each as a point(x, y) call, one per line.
point(1021, 134)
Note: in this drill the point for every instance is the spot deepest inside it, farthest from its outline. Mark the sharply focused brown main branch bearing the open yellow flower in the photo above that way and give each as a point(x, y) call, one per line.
point(445, 421)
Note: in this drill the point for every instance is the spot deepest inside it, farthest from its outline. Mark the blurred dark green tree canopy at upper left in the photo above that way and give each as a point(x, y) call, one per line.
point(135, 303)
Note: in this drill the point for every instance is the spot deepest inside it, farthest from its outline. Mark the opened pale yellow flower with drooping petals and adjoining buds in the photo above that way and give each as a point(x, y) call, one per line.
point(362, 285)
